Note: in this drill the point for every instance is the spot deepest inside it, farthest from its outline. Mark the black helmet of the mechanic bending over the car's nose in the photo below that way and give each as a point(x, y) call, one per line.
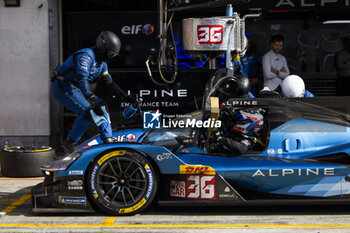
point(108, 44)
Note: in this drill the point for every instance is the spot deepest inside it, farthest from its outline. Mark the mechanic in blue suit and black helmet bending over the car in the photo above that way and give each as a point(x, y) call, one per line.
point(70, 87)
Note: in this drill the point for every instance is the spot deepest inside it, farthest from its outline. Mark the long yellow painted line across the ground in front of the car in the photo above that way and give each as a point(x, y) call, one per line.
point(178, 225)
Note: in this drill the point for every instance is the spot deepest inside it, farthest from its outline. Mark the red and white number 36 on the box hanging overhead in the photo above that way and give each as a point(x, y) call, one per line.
point(209, 34)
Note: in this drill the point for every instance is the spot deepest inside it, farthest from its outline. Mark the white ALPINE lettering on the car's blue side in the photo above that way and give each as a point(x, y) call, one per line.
point(295, 172)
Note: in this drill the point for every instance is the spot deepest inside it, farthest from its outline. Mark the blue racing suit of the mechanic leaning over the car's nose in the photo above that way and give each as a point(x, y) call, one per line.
point(73, 90)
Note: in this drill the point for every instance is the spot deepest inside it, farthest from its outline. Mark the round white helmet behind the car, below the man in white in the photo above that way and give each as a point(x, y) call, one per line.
point(293, 86)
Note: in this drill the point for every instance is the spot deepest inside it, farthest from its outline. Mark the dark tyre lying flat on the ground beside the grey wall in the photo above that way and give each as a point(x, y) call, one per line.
point(19, 161)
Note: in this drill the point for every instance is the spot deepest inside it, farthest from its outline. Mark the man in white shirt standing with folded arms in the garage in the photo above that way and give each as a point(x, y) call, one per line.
point(274, 65)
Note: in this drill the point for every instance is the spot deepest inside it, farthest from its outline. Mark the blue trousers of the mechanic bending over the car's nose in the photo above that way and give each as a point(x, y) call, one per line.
point(73, 99)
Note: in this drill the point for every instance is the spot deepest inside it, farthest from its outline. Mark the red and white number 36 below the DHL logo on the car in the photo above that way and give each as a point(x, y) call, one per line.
point(200, 187)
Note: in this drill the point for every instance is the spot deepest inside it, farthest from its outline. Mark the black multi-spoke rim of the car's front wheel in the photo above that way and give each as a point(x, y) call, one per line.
point(122, 182)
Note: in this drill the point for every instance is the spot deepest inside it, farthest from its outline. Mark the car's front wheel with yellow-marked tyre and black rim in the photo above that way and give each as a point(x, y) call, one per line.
point(121, 182)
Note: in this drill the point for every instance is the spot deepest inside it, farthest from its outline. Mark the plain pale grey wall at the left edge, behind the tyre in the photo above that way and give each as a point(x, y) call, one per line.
point(24, 70)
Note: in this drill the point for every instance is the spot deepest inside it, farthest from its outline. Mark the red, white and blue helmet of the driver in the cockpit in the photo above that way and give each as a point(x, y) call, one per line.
point(248, 121)
